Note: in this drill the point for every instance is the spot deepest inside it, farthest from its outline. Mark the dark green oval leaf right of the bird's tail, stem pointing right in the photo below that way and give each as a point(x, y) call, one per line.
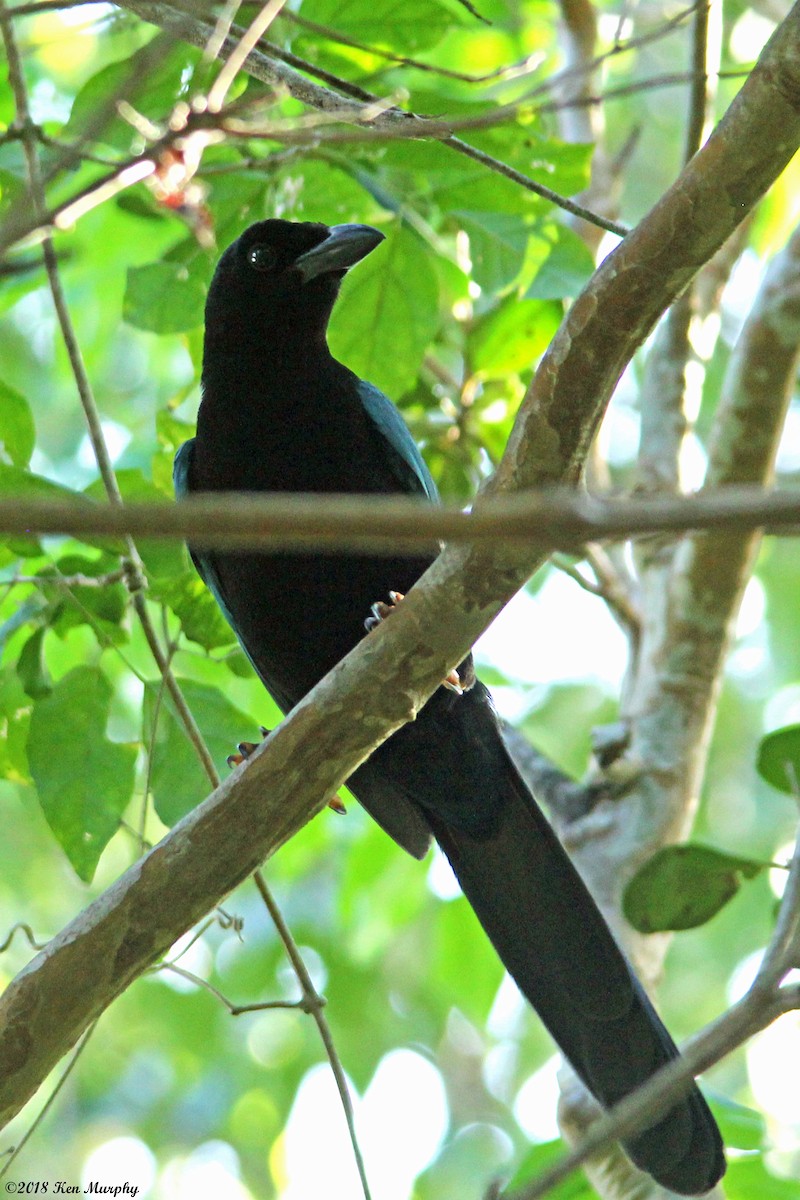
point(685, 886)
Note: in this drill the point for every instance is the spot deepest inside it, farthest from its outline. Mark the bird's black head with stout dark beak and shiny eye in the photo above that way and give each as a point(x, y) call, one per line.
point(281, 279)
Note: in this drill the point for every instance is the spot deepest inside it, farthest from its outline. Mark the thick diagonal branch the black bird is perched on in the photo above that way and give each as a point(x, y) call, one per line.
point(388, 677)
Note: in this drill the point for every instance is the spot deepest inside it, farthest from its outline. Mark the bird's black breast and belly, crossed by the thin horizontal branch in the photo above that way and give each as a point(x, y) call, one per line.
point(298, 614)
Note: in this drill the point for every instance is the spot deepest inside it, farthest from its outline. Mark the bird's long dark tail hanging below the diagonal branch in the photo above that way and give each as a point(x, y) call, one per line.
point(556, 945)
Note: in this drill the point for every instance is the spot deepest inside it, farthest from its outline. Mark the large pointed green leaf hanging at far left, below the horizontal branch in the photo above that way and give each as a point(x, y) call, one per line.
point(85, 782)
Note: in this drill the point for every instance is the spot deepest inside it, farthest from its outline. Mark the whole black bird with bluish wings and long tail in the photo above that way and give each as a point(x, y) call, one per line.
point(280, 415)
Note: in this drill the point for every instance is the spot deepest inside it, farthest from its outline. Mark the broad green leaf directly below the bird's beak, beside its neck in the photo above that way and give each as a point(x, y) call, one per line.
point(388, 314)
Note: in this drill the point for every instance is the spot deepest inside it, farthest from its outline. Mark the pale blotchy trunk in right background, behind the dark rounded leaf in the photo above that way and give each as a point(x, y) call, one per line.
point(691, 597)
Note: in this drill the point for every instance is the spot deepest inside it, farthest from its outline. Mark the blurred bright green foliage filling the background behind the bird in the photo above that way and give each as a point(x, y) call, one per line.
point(450, 320)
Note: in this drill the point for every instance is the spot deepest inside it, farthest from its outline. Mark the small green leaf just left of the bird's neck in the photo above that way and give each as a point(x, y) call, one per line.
point(163, 298)
